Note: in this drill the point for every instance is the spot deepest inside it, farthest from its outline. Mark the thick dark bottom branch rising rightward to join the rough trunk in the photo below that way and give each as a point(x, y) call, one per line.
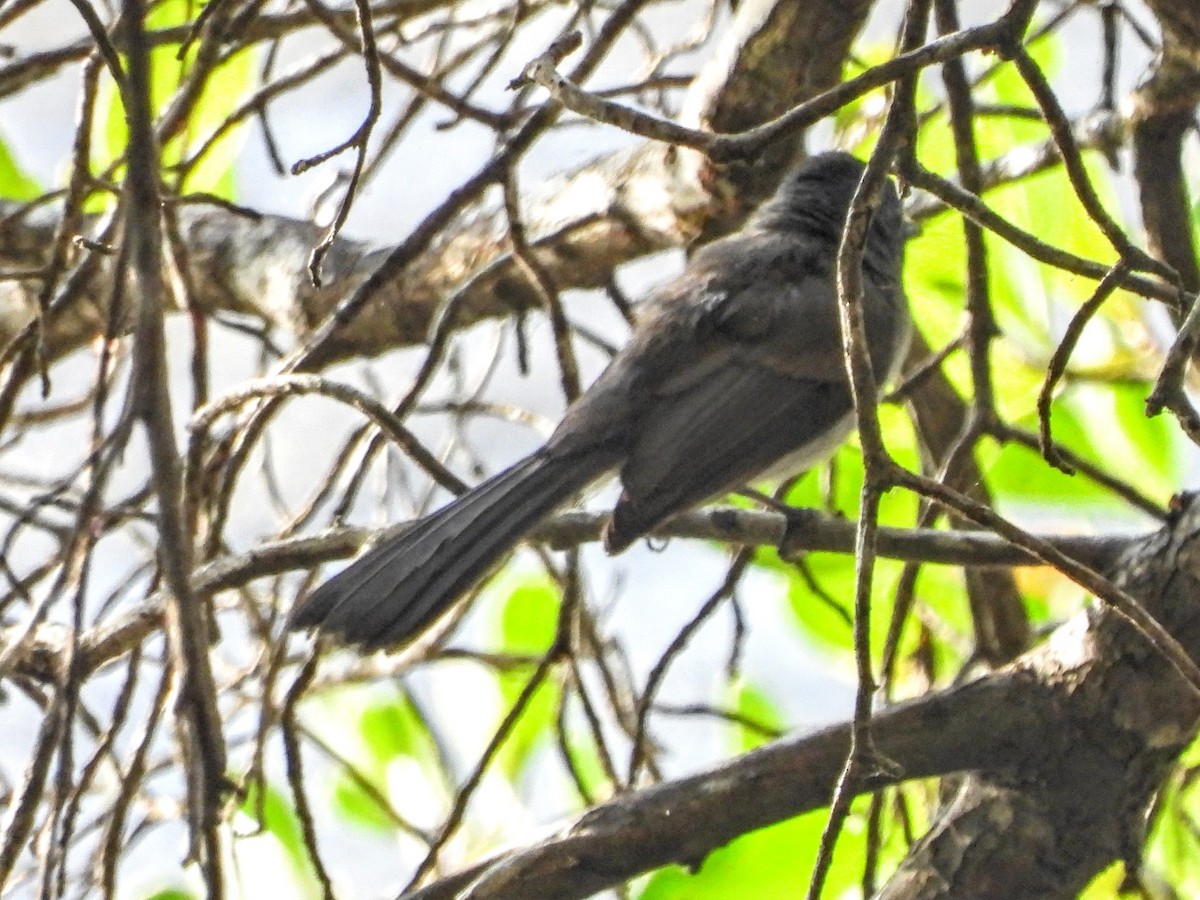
point(685, 821)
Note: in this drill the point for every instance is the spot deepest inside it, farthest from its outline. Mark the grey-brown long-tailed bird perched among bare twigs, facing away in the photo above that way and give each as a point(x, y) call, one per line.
point(734, 371)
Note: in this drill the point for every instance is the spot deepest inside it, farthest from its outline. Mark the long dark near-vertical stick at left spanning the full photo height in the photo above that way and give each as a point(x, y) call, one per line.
point(187, 616)
